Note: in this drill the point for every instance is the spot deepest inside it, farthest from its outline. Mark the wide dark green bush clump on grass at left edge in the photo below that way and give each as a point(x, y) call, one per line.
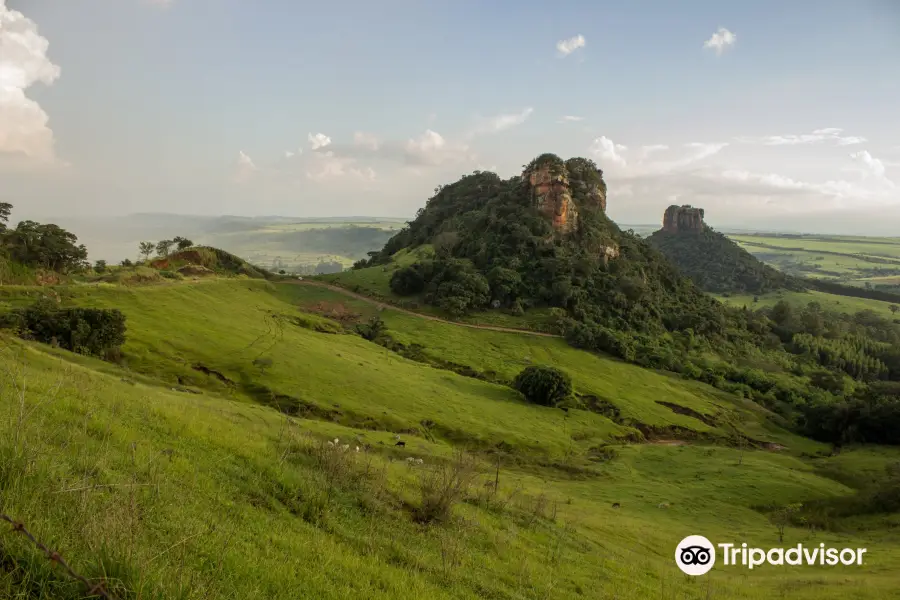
point(93, 331)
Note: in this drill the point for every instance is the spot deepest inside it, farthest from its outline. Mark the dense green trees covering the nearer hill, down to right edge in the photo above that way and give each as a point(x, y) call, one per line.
point(820, 370)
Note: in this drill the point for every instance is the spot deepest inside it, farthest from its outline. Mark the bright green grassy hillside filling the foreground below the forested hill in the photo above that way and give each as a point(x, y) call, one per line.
point(227, 392)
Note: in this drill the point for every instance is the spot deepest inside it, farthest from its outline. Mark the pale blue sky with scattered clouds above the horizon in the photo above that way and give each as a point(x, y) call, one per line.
point(762, 112)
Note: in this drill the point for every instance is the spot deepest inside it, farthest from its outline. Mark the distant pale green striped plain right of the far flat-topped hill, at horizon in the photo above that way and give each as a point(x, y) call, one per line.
point(850, 260)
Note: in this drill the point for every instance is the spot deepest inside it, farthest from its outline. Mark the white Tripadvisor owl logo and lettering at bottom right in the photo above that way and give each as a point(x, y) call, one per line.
point(696, 555)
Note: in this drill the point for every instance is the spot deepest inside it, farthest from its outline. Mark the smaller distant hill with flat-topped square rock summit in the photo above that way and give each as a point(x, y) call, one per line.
point(712, 261)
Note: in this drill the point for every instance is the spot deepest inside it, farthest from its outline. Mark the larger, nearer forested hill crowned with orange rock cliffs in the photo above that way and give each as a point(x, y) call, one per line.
point(543, 239)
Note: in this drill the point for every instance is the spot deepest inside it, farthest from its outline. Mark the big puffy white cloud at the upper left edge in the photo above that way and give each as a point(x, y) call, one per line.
point(23, 62)
